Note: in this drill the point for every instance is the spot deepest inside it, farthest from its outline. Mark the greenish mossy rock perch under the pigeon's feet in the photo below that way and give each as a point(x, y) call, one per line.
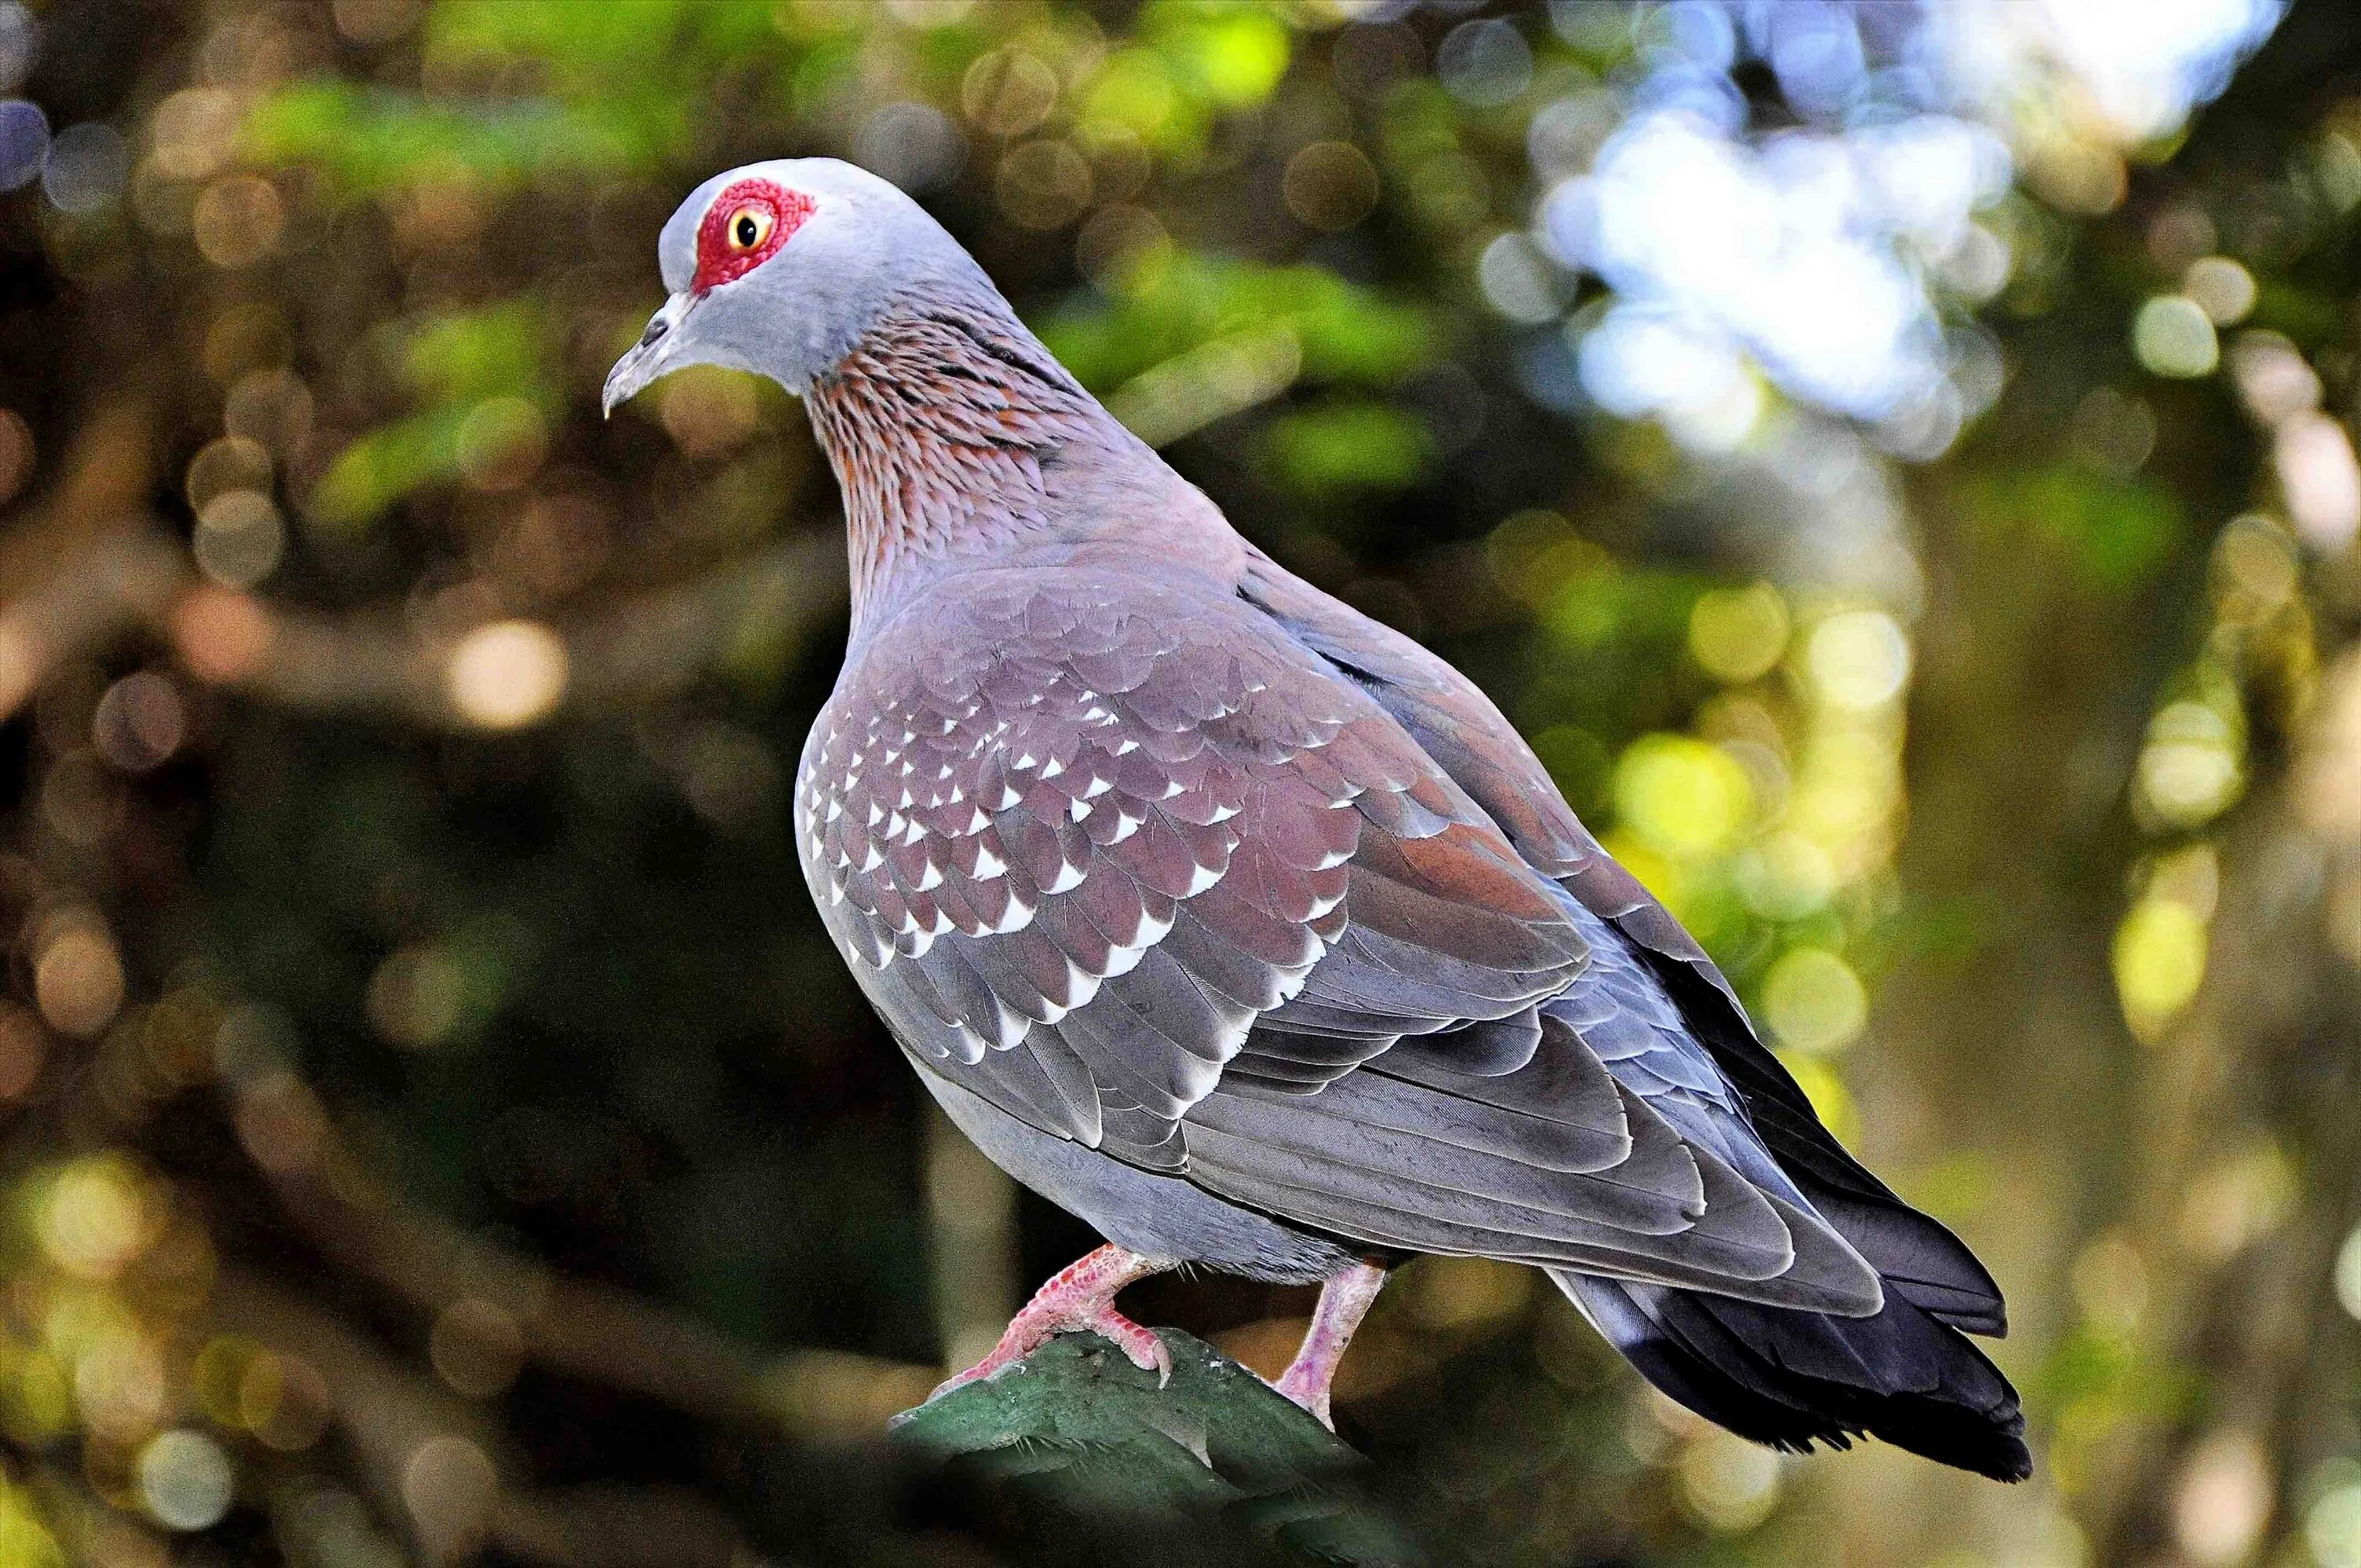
point(1080, 1430)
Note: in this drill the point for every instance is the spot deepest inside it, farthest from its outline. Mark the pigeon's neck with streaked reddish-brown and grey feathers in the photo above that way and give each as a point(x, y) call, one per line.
point(960, 440)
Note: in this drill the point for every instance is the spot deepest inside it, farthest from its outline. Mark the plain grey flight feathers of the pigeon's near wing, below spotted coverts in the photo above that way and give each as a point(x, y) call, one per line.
point(1609, 1149)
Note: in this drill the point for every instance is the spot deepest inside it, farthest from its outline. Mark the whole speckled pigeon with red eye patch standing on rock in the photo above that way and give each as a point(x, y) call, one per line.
point(1245, 927)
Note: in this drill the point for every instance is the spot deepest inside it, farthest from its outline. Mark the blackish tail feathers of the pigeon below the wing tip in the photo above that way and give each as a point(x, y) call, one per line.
point(1793, 1378)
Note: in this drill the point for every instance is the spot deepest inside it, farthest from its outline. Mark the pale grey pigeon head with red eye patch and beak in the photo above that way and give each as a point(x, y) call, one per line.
point(780, 268)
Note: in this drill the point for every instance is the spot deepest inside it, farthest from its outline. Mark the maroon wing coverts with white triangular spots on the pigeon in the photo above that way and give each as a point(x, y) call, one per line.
point(1101, 842)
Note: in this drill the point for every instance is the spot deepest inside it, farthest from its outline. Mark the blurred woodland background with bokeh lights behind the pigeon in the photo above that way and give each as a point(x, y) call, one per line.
point(1895, 462)
